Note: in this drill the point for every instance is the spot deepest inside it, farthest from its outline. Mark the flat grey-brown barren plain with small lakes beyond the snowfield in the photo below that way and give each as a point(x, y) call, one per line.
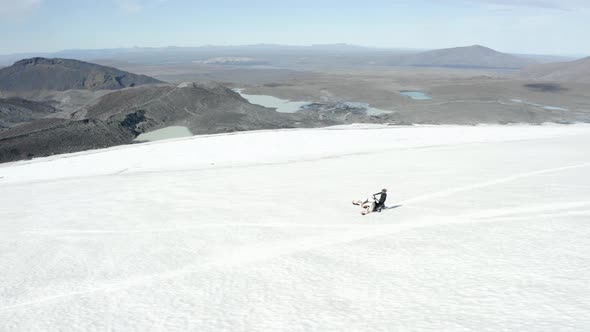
point(459, 96)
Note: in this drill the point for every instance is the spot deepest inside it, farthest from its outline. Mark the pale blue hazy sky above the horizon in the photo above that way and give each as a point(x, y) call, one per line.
point(527, 26)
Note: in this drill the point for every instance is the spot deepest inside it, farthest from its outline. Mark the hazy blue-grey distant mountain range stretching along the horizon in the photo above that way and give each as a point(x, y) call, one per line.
point(286, 56)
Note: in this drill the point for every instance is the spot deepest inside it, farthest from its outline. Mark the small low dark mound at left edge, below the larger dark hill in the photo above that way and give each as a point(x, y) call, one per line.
point(16, 110)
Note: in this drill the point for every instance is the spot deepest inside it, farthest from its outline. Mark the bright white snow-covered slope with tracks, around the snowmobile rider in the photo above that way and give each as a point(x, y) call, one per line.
point(255, 232)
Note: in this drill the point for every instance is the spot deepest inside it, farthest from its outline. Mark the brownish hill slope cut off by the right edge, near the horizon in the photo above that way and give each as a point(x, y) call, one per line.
point(573, 71)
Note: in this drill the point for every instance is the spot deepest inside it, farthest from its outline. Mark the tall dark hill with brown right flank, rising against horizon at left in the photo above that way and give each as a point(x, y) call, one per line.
point(65, 74)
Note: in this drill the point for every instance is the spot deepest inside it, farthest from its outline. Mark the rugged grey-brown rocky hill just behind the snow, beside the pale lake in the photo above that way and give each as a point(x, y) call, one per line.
point(205, 108)
